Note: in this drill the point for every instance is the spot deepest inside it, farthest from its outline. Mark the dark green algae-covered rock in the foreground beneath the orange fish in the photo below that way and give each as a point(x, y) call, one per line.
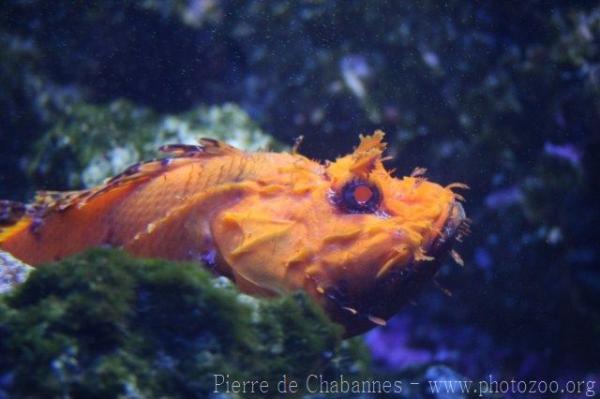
point(102, 324)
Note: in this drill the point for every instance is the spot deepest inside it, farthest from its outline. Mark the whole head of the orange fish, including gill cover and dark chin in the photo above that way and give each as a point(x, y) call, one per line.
point(356, 238)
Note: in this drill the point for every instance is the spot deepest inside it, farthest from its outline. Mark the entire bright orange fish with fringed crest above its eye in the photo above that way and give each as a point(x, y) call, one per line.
point(355, 238)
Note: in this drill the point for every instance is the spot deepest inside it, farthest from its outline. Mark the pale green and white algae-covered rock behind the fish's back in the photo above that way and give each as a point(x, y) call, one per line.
point(92, 142)
